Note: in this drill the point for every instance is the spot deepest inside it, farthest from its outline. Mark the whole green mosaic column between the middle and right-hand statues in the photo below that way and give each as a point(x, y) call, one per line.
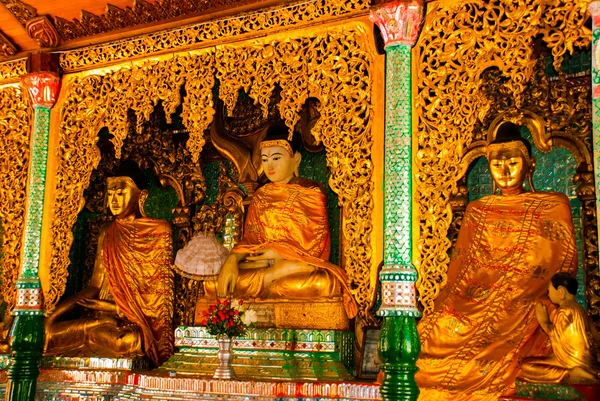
point(399, 345)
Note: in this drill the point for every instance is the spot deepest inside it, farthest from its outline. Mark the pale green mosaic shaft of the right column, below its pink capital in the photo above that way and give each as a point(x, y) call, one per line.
point(398, 157)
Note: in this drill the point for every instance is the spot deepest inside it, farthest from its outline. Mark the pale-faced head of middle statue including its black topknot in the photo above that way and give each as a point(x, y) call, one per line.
point(279, 156)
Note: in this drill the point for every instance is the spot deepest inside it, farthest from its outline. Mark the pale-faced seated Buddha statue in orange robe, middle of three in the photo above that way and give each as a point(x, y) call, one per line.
point(285, 248)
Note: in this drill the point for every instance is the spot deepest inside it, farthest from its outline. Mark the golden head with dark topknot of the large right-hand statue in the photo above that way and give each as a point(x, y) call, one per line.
point(509, 157)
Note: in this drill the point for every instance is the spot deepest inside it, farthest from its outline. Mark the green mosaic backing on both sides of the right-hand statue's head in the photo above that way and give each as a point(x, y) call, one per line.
point(554, 172)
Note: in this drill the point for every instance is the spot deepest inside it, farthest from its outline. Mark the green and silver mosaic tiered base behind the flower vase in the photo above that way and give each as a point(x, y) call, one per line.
point(267, 354)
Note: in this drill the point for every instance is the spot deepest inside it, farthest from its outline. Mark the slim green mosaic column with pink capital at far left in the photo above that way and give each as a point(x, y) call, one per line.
point(27, 332)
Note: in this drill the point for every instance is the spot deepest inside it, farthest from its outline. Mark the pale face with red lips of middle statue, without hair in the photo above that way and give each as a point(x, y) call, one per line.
point(278, 162)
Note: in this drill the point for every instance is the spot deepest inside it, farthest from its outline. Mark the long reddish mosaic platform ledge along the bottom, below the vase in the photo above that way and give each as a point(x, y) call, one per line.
point(71, 385)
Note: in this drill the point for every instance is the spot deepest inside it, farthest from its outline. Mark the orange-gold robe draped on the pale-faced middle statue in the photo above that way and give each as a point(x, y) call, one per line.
point(292, 220)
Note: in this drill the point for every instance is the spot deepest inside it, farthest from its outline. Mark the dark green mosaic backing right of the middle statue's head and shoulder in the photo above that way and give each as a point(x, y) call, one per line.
point(314, 167)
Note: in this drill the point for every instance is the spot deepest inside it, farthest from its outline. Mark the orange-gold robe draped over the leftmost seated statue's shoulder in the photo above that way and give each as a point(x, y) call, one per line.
point(137, 259)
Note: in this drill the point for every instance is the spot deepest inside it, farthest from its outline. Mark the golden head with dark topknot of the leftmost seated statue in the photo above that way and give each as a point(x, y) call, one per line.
point(126, 192)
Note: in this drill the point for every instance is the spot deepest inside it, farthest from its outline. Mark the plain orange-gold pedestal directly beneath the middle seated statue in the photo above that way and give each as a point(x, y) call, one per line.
point(291, 314)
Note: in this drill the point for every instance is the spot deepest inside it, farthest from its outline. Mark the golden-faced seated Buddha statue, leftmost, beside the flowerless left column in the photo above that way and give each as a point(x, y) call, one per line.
point(128, 303)
